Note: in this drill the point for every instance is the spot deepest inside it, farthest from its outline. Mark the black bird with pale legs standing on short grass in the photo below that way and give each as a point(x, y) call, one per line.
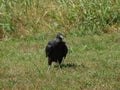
point(56, 50)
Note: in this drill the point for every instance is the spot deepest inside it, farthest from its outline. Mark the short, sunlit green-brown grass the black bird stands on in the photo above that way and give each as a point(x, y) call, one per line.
point(93, 63)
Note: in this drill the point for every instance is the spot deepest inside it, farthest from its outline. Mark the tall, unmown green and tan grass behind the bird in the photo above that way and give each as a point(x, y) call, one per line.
point(83, 16)
